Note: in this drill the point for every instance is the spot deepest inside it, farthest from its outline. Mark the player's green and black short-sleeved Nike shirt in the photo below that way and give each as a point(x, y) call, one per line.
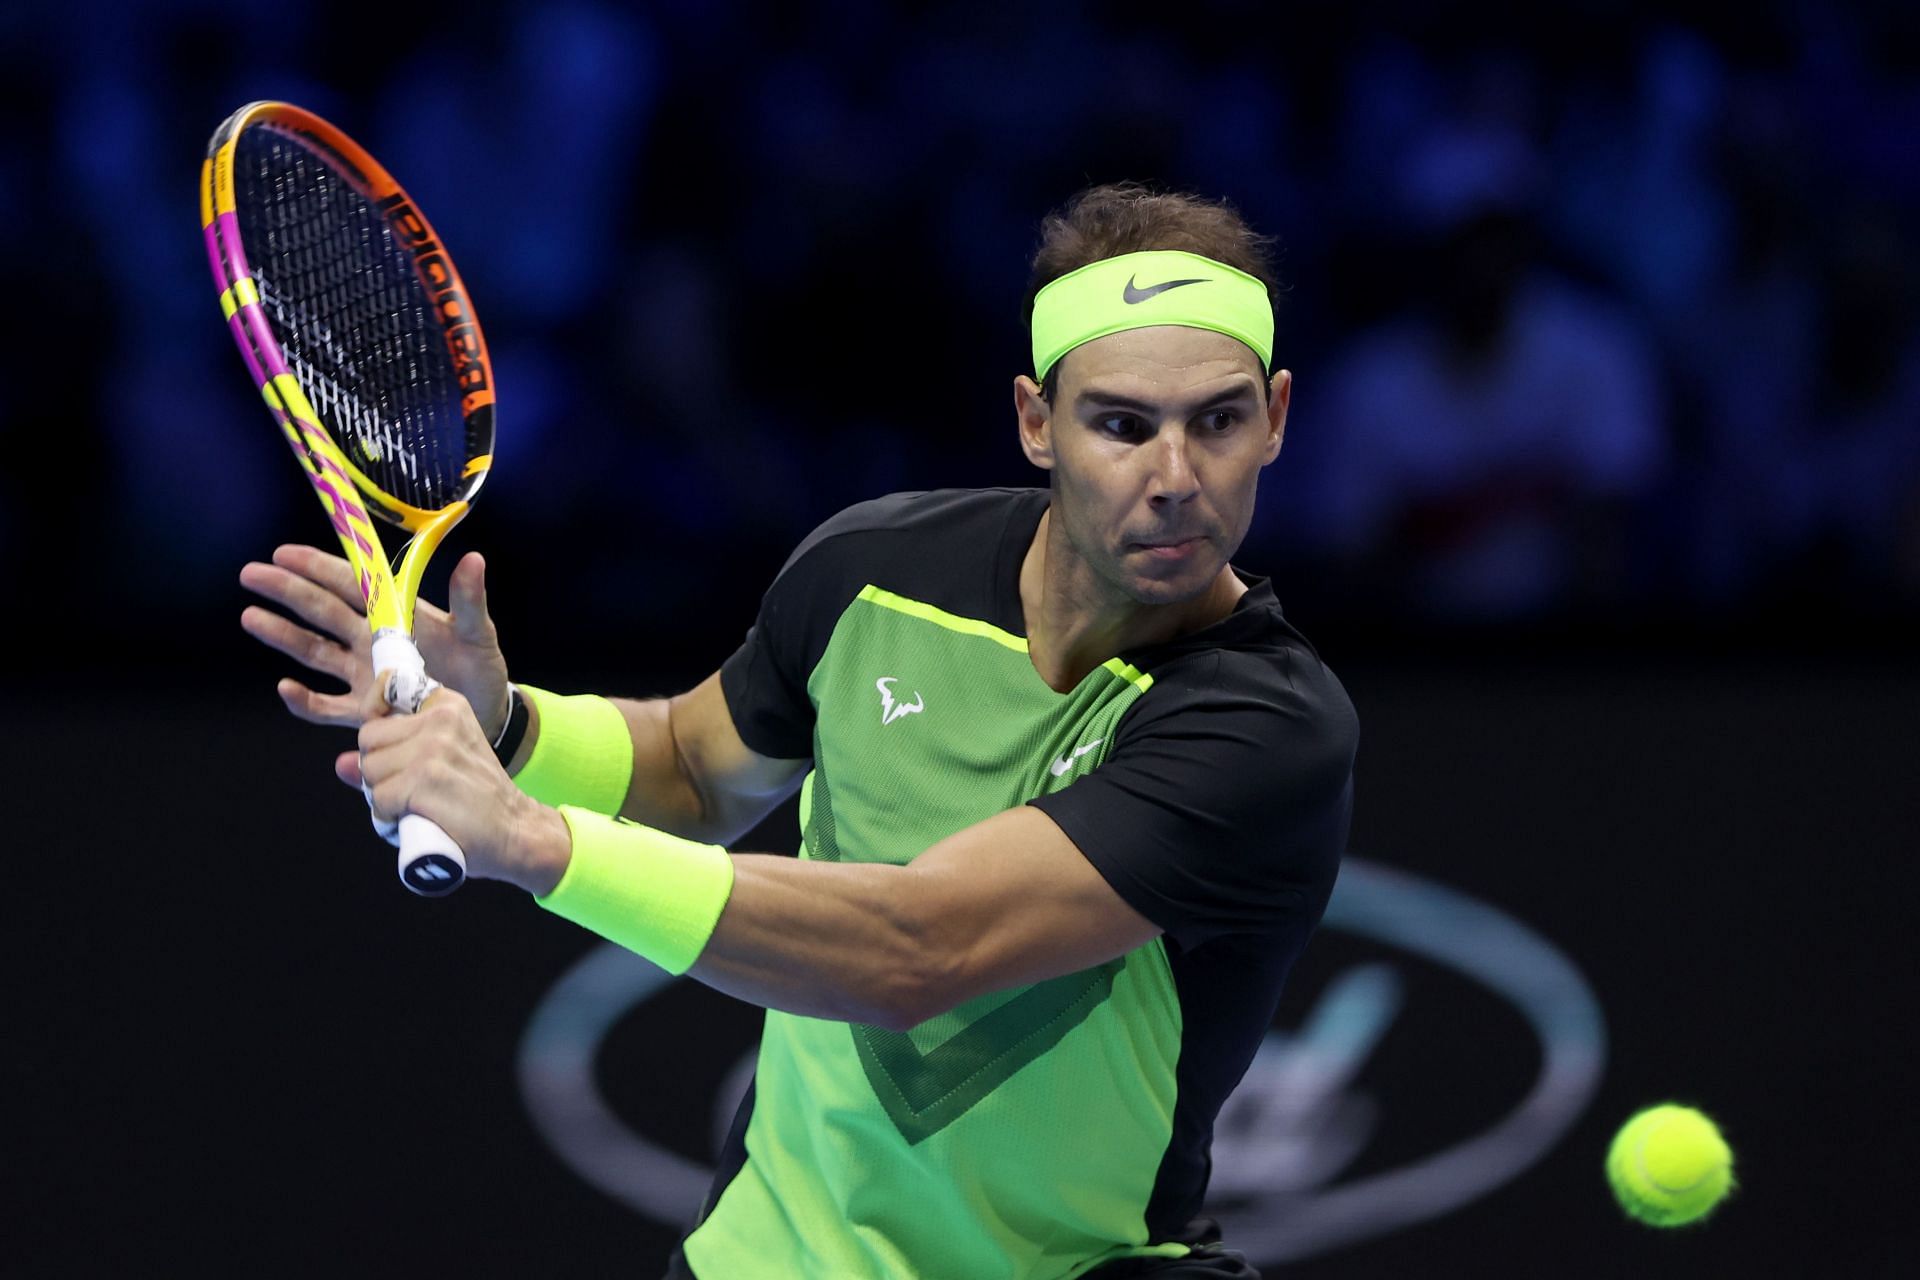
point(1034, 1133)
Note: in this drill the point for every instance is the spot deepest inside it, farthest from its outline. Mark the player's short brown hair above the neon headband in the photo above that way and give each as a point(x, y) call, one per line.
point(1128, 218)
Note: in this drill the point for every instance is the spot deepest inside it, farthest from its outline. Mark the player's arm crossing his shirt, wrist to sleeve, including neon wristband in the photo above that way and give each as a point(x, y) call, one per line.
point(1005, 903)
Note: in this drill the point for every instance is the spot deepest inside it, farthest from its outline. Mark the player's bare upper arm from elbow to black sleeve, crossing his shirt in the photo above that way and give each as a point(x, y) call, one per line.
point(1013, 901)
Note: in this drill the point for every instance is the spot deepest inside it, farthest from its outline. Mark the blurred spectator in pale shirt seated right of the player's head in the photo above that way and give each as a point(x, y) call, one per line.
point(1485, 444)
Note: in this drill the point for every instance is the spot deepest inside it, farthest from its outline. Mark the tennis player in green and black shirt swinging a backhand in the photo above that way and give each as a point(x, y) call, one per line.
point(1072, 795)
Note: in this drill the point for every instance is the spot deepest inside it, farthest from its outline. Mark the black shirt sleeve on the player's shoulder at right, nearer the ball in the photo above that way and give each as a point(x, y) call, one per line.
point(1226, 801)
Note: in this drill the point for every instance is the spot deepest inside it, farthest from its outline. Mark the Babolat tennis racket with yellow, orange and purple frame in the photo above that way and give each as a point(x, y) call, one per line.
point(364, 344)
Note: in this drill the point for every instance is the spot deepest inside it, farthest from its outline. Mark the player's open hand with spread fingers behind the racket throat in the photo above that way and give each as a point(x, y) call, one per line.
point(462, 648)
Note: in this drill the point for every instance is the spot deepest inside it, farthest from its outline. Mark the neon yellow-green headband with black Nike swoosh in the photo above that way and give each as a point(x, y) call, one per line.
point(1138, 291)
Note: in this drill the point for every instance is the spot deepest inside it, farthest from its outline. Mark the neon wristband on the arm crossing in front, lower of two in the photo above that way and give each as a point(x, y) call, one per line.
point(648, 891)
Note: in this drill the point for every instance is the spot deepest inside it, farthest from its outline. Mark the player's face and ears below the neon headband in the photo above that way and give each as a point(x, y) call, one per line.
point(1155, 442)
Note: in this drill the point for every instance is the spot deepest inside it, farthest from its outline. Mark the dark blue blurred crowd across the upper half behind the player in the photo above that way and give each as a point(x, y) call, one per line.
point(1606, 312)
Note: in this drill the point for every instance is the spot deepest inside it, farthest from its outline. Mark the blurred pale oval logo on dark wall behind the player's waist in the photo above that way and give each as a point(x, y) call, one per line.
point(1287, 1139)
